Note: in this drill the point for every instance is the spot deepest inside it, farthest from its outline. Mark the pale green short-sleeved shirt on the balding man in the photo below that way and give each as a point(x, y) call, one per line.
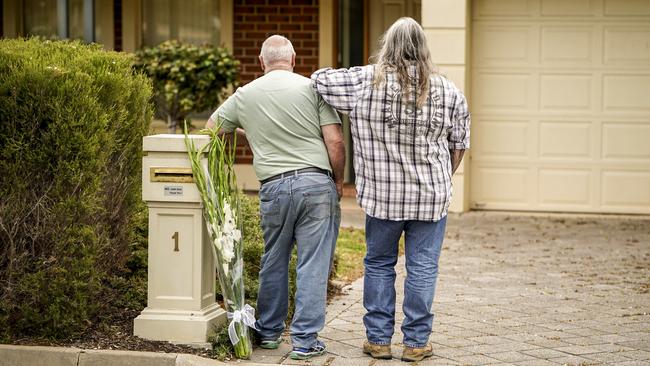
point(282, 116)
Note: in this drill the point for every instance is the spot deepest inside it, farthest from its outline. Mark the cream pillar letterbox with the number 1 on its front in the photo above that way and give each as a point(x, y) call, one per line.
point(181, 305)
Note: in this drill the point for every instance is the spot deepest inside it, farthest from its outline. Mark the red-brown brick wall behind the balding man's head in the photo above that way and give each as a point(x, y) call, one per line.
point(255, 20)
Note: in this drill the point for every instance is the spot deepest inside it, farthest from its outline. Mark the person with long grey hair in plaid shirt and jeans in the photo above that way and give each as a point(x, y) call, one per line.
point(410, 128)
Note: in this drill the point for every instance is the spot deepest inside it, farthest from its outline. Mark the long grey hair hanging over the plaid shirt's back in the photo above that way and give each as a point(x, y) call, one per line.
point(402, 45)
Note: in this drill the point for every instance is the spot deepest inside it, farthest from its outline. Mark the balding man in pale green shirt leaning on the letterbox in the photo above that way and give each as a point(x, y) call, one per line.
point(299, 157)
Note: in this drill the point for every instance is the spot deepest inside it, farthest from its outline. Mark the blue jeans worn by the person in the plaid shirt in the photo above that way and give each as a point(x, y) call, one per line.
point(422, 246)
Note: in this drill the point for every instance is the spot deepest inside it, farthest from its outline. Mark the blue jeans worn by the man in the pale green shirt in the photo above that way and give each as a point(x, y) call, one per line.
point(304, 209)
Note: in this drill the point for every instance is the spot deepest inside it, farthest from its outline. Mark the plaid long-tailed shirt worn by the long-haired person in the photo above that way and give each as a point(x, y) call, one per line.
point(401, 153)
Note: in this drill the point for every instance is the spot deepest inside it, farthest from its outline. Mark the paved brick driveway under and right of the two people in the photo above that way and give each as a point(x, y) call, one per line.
point(521, 290)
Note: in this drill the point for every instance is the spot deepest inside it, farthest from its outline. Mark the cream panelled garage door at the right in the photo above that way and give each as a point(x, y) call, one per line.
point(561, 105)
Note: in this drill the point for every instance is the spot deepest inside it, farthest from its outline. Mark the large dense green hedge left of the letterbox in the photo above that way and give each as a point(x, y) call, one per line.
point(72, 117)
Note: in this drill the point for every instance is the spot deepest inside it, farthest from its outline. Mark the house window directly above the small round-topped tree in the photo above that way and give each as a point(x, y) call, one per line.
point(193, 21)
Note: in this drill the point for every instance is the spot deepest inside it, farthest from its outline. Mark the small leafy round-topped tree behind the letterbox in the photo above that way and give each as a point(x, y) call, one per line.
point(187, 78)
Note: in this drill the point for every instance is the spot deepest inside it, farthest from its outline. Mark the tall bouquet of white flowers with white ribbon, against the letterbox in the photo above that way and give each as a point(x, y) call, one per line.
point(218, 188)
